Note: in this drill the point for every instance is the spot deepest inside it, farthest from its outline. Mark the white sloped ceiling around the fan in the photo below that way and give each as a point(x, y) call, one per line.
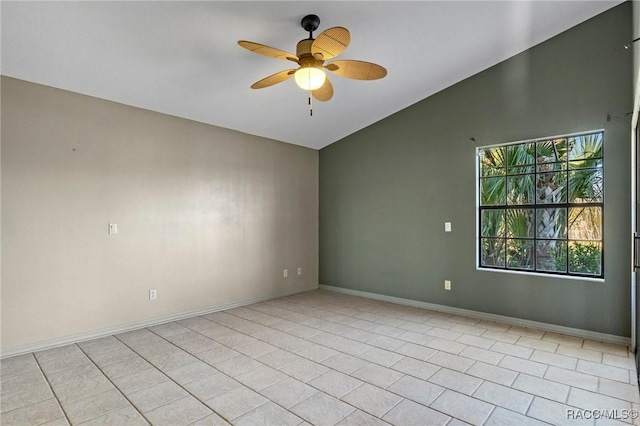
point(181, 58)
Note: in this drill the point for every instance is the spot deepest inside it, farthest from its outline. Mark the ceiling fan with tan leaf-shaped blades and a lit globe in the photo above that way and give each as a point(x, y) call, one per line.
point(310, 56)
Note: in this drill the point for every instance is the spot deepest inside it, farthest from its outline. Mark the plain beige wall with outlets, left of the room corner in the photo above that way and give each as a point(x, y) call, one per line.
point(207, 216)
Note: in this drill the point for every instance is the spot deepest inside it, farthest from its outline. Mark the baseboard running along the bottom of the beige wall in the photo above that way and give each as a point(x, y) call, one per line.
point(76, 338)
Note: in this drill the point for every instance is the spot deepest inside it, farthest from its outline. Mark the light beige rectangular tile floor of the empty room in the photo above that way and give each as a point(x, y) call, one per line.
point(322, 358)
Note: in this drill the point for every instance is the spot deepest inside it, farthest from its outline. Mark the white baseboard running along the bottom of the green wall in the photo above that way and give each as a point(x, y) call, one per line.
point(586, 334)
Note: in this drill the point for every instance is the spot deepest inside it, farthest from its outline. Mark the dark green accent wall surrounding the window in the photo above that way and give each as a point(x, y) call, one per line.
point(387, 190)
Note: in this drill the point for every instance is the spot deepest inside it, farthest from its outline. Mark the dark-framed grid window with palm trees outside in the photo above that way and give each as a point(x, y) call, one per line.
point(541, 205)
